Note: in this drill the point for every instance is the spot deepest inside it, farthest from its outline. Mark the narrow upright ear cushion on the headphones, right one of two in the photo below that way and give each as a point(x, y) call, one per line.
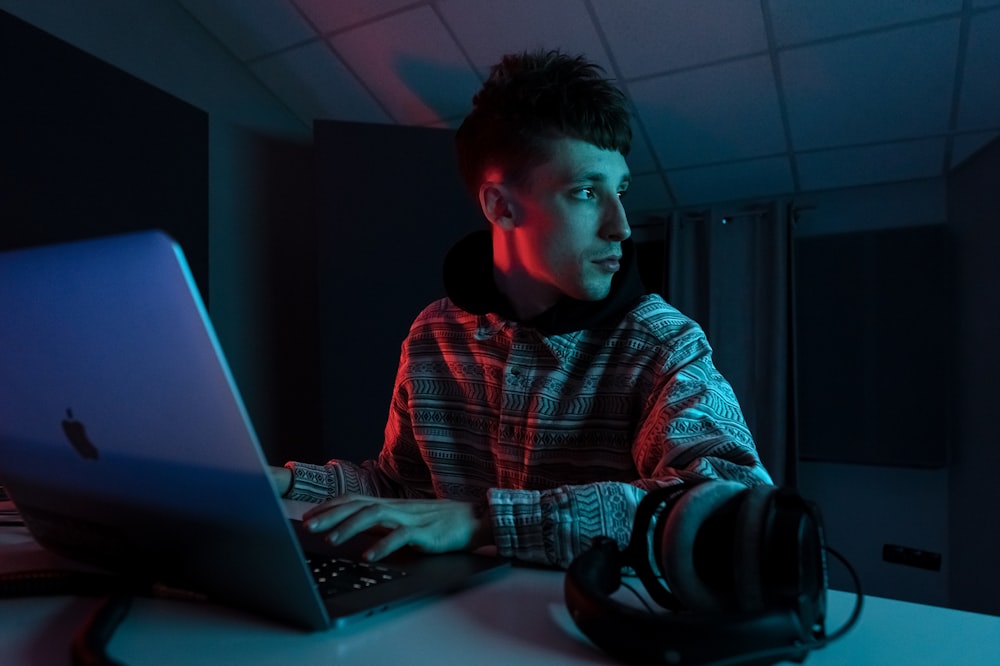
point(753, 538)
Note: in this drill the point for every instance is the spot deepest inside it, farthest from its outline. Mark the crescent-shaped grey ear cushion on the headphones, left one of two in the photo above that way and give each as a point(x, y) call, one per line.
point(677, 541)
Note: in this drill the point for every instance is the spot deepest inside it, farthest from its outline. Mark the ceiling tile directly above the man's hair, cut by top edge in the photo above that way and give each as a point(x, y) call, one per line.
point(497, 28)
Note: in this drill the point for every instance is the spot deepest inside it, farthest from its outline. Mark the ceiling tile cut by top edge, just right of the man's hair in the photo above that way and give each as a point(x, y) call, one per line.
point(651, 36)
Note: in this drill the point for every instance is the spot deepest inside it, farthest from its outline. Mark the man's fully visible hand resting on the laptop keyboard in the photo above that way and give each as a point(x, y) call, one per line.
point(432, 526)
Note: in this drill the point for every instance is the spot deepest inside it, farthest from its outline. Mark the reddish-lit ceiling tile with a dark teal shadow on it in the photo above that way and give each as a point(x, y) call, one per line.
point(412, 65)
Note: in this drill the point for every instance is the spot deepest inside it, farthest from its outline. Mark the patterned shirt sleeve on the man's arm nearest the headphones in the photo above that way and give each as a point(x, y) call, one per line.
point(692, 429)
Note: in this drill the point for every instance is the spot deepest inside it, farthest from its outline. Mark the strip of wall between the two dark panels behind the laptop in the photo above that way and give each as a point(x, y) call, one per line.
point(263, 244)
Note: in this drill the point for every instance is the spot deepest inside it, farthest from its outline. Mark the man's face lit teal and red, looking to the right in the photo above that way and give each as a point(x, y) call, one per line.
point(567, 226)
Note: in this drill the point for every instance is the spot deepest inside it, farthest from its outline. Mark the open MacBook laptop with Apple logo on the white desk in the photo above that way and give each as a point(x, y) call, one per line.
point(124, 442)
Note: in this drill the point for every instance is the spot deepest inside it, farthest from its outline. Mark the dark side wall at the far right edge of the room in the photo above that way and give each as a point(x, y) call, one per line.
point(974, 209)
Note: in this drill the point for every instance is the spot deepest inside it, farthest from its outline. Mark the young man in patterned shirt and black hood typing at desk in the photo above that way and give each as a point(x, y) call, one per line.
point(535, 406)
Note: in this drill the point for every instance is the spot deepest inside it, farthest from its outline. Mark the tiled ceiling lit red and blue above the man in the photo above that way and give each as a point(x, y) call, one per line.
point(733, 99)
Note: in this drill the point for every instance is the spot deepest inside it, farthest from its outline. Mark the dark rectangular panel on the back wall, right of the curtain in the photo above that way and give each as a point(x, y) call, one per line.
point(875, 346)
